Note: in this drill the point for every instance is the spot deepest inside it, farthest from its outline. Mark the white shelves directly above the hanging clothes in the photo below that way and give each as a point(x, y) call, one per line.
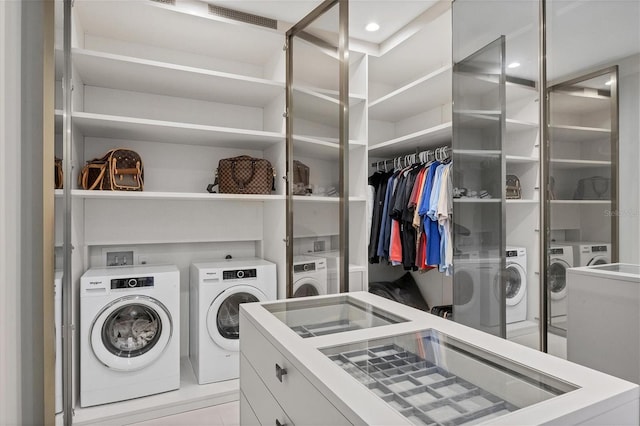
point(410, 88)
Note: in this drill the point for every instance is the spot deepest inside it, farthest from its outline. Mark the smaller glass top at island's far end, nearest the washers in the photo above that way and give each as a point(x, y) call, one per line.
point(318, 317)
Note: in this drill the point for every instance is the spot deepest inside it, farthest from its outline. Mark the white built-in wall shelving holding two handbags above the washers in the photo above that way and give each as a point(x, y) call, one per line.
point(184, 89)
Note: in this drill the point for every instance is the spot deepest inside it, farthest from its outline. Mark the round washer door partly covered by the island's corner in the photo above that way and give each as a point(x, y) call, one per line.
point(223, 317)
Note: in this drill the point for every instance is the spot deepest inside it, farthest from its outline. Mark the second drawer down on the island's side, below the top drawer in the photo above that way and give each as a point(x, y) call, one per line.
point(258, 397)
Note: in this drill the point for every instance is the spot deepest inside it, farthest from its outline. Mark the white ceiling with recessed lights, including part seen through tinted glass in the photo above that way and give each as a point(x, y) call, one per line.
point(581, 34)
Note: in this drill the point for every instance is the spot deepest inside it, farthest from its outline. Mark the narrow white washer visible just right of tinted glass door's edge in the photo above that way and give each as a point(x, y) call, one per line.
point(516, 284)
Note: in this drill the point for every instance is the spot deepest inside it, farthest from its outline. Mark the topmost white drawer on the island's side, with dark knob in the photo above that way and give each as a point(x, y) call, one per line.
point(303, 403)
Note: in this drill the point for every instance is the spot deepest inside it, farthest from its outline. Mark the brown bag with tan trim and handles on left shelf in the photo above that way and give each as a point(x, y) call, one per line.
point(118, 170)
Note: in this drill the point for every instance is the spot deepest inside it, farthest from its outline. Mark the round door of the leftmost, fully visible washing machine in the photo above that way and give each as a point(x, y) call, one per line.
point(130, 333)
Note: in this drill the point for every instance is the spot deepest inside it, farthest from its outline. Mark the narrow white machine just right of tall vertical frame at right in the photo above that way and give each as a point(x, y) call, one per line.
point(560, 259)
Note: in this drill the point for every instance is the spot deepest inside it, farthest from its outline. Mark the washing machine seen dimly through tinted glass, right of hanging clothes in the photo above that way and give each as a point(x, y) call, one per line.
point(476, 297)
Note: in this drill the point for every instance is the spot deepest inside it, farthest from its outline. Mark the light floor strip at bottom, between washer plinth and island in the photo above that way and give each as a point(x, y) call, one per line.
point(219, 415)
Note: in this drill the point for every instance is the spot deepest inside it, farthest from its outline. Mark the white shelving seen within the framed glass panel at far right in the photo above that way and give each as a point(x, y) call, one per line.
point(583, 170)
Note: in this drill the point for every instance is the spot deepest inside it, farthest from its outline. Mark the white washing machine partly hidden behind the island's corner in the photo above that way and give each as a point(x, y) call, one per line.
point(217, 290)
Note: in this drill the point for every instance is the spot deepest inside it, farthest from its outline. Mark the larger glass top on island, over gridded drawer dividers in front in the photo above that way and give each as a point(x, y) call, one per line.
point(434, 379)
